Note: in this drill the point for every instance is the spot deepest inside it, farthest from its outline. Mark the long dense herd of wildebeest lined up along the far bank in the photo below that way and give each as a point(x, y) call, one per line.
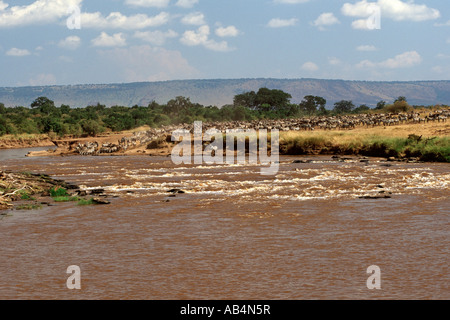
point(339, 122)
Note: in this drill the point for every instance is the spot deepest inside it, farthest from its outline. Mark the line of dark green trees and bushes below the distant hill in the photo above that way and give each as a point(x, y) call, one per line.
point(43, 117)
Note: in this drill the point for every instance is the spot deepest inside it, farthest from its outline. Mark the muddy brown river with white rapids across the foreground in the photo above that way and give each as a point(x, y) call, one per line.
point(304, 233)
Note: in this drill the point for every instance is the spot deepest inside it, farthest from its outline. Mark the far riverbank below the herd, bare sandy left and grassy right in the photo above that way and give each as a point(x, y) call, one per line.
point(429, 142)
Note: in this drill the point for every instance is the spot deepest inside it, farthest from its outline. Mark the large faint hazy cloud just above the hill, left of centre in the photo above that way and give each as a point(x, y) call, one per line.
point(144, 63)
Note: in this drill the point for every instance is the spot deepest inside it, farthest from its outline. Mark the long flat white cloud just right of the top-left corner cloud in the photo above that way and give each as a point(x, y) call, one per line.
point(116, 20)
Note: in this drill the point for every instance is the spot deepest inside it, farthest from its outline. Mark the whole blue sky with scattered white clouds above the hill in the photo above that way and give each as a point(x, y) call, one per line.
point(47, 42)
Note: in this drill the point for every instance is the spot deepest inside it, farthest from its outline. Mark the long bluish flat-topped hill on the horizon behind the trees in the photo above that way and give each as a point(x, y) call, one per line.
point(218, 92)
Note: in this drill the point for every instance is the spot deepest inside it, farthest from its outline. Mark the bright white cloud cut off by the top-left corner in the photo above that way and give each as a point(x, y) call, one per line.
point(38, 12)
